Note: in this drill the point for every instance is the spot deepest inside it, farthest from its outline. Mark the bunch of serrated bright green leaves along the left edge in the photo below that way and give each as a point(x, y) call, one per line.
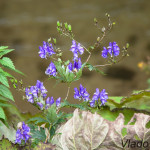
point(5, 94)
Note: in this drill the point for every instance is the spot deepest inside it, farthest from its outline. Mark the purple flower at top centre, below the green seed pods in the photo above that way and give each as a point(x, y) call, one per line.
point(76, 49)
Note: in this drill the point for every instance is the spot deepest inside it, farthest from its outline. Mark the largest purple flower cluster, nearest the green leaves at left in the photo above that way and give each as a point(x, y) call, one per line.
point(34, 92)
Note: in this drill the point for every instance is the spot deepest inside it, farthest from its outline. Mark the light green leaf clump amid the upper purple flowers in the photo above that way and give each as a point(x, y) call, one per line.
point(63, 74)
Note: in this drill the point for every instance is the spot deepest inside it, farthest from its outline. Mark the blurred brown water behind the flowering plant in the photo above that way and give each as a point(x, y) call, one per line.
point(25, 24)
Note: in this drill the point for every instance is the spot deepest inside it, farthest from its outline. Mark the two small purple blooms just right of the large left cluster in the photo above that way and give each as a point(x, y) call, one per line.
point(51, 101)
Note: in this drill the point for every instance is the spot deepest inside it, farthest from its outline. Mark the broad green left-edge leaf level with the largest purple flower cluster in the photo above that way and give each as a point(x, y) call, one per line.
point(4, 91)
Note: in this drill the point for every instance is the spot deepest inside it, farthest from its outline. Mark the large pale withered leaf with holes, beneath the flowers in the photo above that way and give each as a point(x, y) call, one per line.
point(91, 131)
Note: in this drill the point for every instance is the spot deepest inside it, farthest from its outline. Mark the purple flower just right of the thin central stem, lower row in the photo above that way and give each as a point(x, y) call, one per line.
point(82, 93)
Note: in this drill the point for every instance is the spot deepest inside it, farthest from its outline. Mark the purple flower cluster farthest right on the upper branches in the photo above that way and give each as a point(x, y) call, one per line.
point(112, 49)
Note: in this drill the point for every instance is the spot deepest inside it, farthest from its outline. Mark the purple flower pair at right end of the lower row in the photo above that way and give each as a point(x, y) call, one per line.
point(99, 95)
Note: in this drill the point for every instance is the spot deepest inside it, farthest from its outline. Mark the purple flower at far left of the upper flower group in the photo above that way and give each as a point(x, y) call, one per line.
point(47, 49)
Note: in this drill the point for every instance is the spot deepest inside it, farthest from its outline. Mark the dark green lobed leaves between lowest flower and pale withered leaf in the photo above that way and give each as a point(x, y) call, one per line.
point(51, 120)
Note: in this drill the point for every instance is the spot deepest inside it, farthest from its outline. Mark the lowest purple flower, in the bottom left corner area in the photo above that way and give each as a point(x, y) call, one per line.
point(22, 133)
